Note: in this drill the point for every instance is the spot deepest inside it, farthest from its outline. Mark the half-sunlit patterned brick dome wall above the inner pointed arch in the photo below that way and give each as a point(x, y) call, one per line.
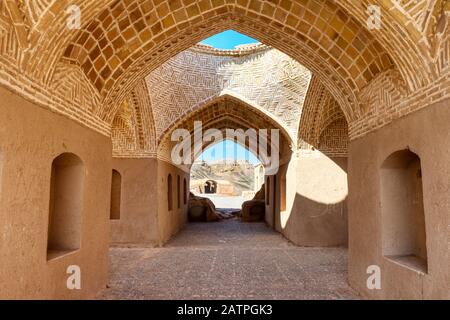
point(268, 80)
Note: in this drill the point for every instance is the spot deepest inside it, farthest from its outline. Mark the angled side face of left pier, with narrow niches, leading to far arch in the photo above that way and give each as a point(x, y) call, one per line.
point(170, 222)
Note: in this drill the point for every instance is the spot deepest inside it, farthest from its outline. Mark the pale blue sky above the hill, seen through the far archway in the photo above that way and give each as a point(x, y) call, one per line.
point(228, 150)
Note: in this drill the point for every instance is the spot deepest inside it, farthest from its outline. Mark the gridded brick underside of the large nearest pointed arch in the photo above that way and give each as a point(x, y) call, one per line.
point(114, 52)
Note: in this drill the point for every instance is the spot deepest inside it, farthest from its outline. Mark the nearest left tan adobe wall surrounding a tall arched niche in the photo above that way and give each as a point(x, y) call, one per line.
point(30, 139)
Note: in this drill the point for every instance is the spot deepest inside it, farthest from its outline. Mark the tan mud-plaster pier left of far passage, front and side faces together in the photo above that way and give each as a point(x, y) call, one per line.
point(145, 199)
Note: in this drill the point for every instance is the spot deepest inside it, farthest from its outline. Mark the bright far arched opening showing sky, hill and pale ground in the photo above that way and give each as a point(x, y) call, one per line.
point(235, 173)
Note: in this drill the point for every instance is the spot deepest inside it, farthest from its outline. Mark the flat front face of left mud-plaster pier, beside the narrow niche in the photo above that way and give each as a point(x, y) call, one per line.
point(138, 222)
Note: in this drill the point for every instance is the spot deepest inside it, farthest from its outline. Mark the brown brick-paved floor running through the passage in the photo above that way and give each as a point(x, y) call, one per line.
point(228, 260)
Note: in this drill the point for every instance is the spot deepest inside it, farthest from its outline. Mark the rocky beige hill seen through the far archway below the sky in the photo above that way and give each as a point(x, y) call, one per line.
point(240, 174)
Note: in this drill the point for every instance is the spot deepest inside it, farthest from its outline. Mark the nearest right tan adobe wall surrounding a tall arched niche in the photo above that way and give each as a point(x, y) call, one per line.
point(426, 133)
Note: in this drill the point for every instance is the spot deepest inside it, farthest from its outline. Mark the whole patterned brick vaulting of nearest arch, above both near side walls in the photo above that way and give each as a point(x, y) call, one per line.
point(375, 76)
